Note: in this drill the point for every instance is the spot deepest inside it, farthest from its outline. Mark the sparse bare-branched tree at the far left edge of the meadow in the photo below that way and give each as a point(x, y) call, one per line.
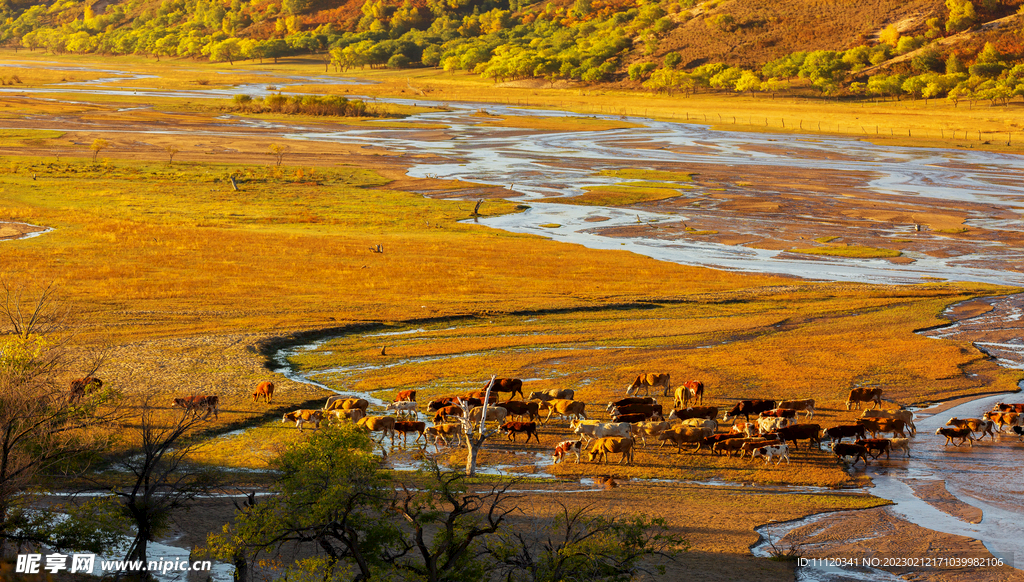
point(46, 431)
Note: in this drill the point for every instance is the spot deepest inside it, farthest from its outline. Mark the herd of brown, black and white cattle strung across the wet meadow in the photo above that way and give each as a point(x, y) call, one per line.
point(635, 420)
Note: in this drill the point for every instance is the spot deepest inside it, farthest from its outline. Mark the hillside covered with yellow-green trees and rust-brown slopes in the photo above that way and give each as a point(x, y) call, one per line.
point(922, 49)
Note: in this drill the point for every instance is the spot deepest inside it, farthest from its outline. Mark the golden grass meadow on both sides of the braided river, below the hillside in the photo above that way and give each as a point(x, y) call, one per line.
point(194, 250)
